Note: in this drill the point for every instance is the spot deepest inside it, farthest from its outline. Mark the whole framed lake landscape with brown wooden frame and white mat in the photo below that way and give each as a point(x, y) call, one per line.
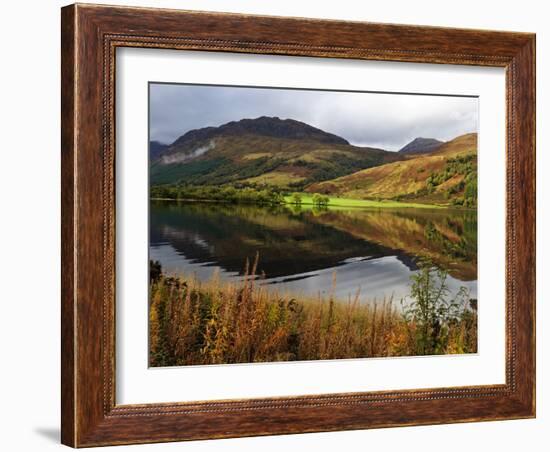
point(280, 225)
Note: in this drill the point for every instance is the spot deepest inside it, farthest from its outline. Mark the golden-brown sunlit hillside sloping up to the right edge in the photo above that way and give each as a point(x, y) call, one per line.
point(447, 175)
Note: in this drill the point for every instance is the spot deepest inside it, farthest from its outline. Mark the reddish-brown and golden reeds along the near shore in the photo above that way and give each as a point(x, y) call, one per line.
point(218, 322)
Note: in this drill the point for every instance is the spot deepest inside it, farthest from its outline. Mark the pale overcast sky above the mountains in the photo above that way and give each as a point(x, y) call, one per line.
point(387, 121)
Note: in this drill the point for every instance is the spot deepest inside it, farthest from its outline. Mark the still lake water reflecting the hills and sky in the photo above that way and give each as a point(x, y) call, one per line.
point(370, 252)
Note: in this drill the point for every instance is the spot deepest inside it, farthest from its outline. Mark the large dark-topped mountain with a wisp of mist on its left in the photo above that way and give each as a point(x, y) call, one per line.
point(262, 151)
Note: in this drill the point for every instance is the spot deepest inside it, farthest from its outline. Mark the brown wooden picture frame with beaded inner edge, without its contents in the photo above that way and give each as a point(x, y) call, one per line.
point(90, 36)
